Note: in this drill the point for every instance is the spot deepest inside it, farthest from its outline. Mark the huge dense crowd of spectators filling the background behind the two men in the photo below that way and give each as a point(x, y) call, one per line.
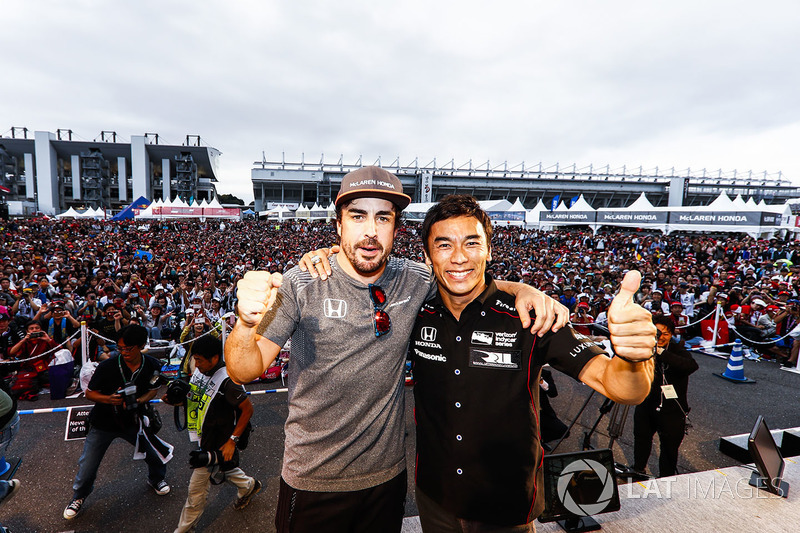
point(178, 278)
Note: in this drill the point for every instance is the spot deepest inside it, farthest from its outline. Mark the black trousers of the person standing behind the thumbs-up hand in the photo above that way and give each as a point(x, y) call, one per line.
point(670, 423)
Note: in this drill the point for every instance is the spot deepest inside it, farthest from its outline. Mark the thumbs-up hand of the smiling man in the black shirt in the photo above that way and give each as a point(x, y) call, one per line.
point(633, 334)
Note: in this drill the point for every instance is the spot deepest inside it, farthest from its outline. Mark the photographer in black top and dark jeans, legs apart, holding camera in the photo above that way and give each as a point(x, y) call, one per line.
point(121, 387)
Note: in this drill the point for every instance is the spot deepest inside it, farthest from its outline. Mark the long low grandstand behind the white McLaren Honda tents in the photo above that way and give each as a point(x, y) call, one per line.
point(279, 183)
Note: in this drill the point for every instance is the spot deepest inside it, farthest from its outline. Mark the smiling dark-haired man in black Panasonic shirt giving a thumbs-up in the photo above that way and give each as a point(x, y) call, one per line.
point(477, 380)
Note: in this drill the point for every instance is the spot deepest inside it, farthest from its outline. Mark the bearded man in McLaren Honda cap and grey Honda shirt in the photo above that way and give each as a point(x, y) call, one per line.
point(344, 457)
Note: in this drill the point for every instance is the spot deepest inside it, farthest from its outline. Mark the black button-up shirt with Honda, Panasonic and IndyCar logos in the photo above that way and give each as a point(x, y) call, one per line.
point(477, 406)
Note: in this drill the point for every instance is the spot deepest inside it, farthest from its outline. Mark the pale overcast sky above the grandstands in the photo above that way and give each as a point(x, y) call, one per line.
point(700, 84)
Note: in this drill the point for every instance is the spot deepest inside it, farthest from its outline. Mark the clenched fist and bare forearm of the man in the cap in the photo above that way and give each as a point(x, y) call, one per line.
point(248, 354)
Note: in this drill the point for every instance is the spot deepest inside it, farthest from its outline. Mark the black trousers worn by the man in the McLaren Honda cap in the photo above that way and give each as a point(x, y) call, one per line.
point(377, 509)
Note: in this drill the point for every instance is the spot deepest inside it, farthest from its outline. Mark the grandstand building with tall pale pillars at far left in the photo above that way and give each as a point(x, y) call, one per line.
point(50, 172)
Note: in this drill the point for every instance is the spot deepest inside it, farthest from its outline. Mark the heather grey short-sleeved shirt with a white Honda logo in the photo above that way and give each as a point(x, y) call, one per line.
point(346, 429)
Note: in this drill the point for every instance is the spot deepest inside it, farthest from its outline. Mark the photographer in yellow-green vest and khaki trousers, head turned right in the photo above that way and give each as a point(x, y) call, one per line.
point(218, 419)
